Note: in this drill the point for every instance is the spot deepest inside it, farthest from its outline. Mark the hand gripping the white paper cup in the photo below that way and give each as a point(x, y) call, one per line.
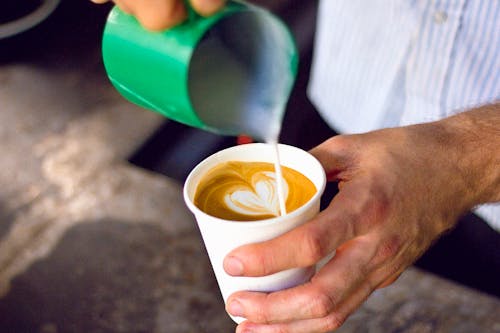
point(399, 189)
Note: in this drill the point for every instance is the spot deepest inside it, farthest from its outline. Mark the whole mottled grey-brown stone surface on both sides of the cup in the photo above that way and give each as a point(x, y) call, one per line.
point(90, 243)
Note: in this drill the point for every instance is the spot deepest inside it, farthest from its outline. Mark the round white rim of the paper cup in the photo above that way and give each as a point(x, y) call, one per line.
point(254, 223)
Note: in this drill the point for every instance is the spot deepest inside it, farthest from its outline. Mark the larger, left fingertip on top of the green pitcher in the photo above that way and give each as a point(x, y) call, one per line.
point(156, 15)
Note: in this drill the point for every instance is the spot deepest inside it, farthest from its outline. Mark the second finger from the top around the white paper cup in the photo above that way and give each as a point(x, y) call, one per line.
point(330, 287)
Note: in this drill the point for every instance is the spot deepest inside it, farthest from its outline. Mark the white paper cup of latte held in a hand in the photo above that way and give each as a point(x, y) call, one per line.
point(221, 236)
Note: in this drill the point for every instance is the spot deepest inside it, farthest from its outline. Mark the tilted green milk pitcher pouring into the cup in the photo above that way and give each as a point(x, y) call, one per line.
point(230, 73)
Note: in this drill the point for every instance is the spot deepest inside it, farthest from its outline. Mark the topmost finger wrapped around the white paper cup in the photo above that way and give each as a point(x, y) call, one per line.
point(311, 241)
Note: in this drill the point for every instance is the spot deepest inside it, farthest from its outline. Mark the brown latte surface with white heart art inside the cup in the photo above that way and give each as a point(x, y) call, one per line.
point(247, 191)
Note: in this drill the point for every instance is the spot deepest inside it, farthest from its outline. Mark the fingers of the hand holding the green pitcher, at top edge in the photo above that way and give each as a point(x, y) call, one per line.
point(162, 14)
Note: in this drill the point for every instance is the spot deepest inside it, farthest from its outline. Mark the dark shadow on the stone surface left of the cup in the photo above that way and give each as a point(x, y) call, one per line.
point(110, 276)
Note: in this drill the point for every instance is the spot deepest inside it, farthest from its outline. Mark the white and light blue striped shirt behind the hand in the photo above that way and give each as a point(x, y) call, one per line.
point(384, 63)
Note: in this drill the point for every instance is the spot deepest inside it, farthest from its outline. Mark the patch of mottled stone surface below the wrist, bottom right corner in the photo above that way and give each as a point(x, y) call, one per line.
point(422, 303)
